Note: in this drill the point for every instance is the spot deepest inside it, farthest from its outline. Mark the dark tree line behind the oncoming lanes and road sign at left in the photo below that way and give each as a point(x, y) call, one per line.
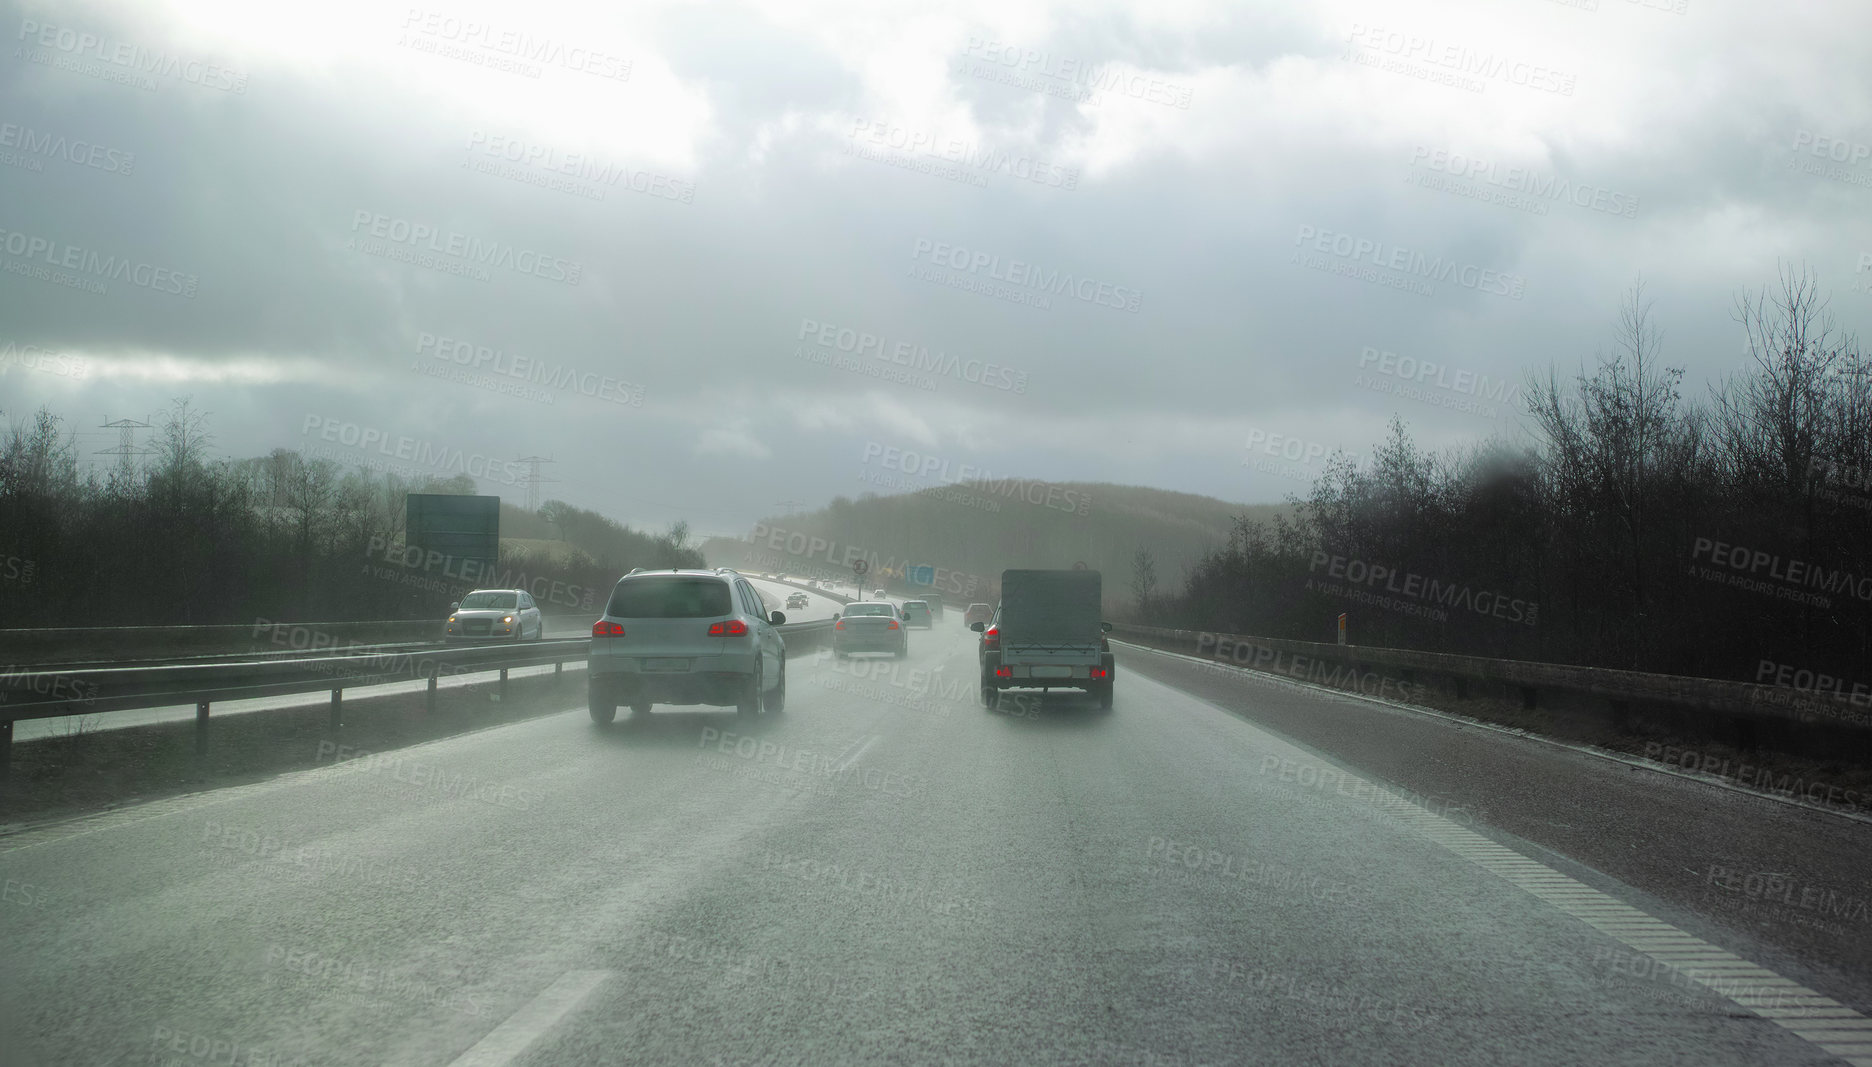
point(192, 540)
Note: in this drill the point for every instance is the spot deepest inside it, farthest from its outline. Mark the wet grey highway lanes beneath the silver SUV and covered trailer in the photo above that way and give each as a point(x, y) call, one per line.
point(883, 873)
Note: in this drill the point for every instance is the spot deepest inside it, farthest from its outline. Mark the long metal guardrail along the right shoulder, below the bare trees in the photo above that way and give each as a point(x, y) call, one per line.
point(1622, 690)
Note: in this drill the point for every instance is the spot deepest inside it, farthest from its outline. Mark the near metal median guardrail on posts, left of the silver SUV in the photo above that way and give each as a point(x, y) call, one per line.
point(31, 694)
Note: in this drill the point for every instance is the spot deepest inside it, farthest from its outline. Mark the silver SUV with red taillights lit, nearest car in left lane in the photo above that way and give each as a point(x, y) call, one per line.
point(686, 637)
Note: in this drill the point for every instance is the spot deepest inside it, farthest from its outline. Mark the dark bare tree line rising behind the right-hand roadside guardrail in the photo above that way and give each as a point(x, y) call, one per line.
point(1631, 527)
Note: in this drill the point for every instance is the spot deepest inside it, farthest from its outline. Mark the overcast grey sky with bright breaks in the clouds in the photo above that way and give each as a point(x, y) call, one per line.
point(1102, 242)
